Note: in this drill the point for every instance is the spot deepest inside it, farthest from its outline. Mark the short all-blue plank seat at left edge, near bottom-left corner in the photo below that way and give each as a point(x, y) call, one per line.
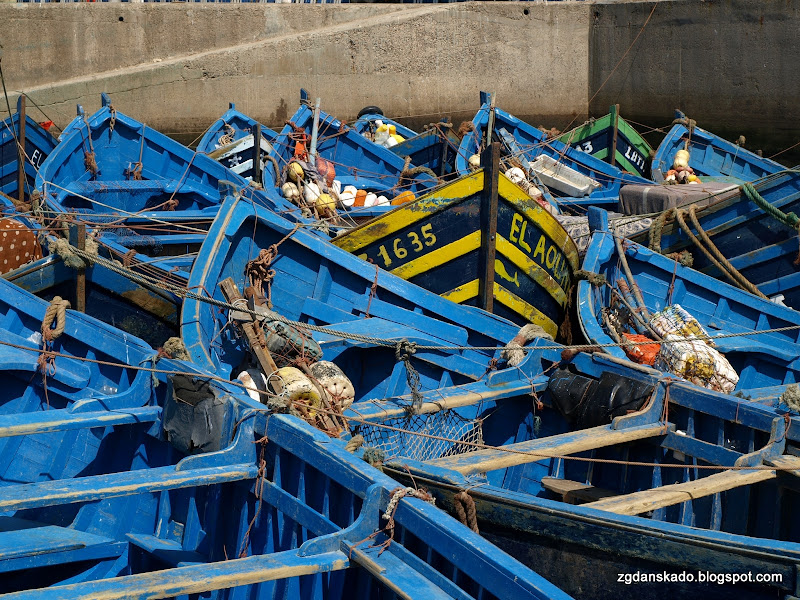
point(27, 544)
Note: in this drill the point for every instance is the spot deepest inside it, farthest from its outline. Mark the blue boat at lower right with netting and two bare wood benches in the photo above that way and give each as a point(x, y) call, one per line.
point(609, 473)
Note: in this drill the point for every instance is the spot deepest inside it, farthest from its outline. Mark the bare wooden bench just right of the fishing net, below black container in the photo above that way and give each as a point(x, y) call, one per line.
point(563, 444)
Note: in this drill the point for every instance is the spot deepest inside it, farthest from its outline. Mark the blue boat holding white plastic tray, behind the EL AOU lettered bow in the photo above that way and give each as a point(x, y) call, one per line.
point(532, 143)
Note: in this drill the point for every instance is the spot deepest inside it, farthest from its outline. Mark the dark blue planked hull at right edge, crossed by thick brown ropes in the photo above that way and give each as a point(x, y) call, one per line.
point(762, 247)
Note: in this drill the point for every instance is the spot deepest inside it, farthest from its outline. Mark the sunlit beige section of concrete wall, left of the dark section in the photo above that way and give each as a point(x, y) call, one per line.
point(409, 59)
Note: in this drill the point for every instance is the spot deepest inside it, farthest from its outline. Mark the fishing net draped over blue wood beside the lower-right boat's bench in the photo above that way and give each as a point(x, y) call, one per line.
point(453, 433)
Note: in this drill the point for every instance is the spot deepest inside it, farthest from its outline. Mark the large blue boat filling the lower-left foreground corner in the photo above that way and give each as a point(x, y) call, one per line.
point(115, 486)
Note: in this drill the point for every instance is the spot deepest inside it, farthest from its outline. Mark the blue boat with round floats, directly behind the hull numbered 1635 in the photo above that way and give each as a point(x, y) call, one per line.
point(356, 160)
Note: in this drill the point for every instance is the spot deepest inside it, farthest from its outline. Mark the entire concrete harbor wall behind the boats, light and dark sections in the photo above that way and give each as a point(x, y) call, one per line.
point(729, 63)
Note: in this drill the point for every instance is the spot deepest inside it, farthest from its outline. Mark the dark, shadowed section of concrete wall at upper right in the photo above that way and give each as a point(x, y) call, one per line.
point(732, 65)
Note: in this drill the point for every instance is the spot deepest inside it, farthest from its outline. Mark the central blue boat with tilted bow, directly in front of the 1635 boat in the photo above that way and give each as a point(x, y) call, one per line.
point(372, 315)
